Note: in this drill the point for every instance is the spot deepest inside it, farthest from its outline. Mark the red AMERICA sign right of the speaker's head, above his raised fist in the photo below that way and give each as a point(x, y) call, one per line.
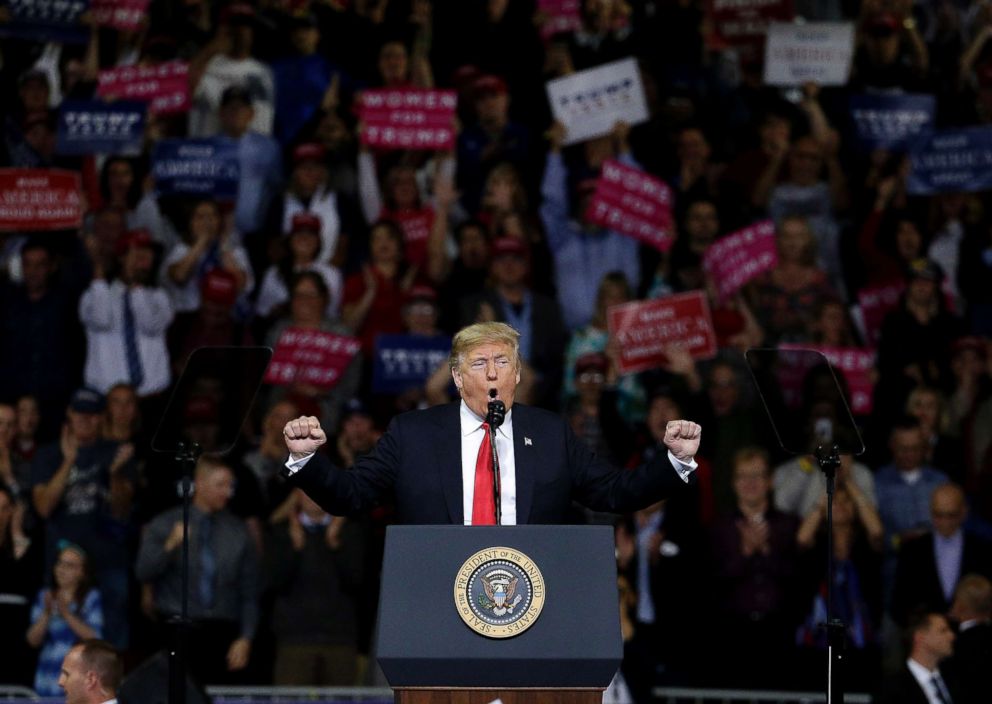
point(644, 329)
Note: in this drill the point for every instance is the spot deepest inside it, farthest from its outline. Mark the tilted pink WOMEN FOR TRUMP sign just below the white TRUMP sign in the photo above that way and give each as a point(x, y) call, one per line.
point(633, 203)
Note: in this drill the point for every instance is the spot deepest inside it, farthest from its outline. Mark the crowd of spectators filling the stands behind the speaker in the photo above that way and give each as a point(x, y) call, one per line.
point(327, 234)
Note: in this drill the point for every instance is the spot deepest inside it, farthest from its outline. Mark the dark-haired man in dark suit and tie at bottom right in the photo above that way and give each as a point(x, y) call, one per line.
point(919, 681)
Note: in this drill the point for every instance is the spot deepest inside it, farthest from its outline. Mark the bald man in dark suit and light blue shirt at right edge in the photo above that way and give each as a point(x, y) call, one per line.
point(930, 566)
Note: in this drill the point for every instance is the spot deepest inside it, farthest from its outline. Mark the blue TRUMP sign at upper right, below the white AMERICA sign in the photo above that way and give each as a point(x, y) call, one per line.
point(892, 122)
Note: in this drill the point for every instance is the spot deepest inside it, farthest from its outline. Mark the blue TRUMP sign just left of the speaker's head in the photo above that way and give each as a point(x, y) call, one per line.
point(404, 362)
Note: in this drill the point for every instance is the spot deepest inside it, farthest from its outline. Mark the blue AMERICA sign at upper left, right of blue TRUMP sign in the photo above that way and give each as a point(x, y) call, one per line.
point(196, 167)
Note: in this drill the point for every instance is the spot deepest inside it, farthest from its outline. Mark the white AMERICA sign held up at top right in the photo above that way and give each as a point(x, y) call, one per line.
point(820, 52)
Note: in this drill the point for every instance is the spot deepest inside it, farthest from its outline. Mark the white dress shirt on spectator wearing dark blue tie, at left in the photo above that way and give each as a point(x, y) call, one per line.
point(101, 310)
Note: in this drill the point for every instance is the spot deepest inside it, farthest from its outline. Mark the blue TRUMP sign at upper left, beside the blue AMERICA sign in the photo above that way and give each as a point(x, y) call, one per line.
point(97, 127)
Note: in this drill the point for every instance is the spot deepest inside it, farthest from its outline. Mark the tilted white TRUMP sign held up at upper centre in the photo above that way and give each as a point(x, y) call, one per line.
point(590, 102)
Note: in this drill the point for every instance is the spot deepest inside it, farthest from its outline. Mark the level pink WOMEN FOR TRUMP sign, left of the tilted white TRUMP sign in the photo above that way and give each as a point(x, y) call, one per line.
point(408, 118)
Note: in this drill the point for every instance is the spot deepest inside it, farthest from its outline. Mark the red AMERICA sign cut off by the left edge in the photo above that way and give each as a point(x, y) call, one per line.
point(39, 199)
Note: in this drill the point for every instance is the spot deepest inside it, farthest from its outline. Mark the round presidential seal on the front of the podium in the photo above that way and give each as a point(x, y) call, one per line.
point(499, 592)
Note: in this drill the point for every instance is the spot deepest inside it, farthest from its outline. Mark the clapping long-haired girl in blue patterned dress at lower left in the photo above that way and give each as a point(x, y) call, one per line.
point(64, 614)
